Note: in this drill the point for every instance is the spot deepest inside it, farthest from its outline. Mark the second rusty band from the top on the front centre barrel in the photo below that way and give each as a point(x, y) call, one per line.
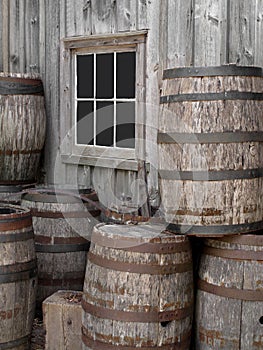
point(149, 269)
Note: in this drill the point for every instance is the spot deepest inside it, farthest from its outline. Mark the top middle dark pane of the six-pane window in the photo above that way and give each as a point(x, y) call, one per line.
point(104, 75)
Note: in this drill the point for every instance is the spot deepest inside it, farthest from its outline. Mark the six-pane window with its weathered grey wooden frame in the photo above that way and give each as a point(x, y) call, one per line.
point(103, 77)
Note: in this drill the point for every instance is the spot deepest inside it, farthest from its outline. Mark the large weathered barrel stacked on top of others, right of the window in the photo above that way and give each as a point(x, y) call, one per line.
point(210, 149)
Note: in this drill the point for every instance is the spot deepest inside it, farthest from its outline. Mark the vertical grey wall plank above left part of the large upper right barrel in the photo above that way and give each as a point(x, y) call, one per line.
point(180, 33)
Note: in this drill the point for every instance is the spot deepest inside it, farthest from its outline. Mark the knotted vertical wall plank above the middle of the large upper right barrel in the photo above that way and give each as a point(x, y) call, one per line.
point(210, 32)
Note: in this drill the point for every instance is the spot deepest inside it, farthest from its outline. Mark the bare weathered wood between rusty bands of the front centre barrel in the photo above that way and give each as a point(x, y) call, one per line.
point(133, 292)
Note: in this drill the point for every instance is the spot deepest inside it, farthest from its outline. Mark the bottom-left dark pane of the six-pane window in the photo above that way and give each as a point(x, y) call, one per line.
point(85, 123)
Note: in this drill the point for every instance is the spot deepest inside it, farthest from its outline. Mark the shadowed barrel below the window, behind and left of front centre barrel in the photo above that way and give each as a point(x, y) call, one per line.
point(62, 226)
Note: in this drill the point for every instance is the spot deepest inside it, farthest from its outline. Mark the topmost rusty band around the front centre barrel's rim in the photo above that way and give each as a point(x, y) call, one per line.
point(139, 247)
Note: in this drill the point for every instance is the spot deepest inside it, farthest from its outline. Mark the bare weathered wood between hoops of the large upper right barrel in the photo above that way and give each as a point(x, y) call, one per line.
point(207, 203)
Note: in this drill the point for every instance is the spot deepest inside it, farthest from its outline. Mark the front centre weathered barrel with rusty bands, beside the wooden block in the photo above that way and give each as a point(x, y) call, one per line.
point(138, 289)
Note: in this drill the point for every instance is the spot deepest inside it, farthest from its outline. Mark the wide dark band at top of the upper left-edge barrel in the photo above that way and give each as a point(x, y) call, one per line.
point(20, 86)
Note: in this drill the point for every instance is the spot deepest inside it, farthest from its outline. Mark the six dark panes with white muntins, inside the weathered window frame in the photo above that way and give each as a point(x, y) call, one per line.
point(105, 99)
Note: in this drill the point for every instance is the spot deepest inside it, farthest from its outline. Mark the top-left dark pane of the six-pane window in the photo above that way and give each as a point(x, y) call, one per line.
point(85, 76)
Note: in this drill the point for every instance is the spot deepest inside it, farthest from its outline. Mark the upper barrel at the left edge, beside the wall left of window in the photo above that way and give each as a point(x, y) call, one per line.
point(23, 127)
